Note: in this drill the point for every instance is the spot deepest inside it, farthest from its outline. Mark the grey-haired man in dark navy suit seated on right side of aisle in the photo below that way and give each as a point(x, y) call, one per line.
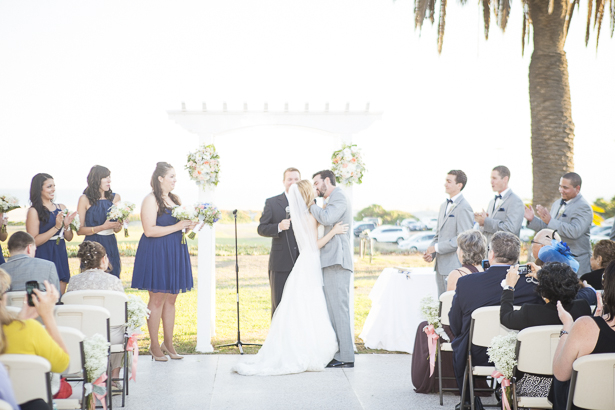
point(485, 289)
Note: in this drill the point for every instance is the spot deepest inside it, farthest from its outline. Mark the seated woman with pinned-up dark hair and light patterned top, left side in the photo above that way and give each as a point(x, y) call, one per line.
point(95, 261)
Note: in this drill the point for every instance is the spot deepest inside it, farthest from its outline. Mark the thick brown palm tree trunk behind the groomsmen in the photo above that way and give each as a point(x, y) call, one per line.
point(552, 126)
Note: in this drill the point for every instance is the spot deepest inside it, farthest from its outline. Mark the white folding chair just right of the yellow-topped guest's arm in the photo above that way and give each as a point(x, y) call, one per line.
point(73, 339)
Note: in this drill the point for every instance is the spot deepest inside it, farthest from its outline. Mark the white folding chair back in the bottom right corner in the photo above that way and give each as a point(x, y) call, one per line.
point(593, 382)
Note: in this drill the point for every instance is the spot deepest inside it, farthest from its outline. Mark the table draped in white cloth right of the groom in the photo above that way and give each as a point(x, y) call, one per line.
point(395, 313)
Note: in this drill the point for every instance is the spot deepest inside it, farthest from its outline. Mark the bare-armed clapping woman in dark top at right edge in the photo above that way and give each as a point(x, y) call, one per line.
point(586, 335)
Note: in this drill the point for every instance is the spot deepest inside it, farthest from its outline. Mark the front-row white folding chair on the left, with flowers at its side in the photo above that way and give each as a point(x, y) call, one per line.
point(117, 304)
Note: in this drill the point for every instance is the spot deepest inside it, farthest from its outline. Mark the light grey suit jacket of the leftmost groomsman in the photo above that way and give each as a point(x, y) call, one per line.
point(460, 219)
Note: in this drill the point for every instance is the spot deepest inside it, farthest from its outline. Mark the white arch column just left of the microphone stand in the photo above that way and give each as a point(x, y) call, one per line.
point(206, 301)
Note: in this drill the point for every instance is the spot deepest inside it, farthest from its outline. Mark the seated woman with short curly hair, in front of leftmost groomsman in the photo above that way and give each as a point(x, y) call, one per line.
point(471, 246)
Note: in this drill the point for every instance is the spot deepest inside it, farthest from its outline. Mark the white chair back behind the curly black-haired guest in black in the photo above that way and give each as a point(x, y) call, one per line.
point(536, 348)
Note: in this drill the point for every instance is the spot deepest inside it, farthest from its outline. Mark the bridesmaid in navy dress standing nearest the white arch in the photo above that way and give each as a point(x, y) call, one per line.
point(162, 263)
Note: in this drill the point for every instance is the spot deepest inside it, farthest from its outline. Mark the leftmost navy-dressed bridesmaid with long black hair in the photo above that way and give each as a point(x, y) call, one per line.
point(44, 222)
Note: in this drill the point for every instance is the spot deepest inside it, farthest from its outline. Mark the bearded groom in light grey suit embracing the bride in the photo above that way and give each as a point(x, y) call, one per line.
point(337, 264)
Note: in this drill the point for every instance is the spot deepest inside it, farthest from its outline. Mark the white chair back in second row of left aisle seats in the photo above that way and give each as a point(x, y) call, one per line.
point(87, 319)
